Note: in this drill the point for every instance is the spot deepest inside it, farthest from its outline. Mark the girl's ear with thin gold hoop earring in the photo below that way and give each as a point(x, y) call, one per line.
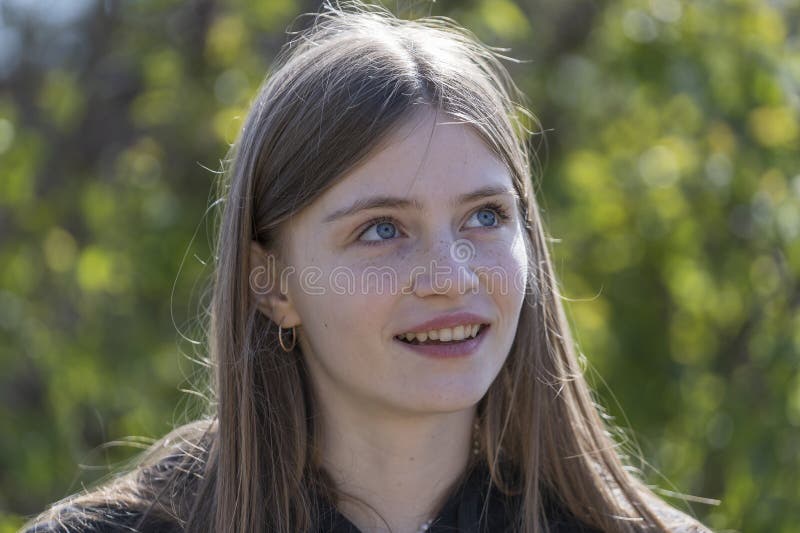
point(264, 281)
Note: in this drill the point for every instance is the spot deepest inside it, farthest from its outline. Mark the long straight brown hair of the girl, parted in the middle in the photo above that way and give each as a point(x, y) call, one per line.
point(335, 91)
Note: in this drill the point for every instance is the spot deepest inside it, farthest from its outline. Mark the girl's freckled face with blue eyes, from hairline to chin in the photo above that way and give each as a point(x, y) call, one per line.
point(360, 277)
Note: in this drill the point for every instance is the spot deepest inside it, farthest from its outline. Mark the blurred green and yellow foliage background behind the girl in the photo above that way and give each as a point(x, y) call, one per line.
point(671, 187)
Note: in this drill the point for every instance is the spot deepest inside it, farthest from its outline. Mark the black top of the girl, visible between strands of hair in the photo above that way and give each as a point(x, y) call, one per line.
point(460, 513)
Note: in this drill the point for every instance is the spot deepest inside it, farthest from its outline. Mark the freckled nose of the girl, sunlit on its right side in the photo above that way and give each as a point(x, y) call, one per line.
point(445, 268)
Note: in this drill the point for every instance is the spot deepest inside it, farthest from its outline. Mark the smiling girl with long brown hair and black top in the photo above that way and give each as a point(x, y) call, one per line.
point(389, 345)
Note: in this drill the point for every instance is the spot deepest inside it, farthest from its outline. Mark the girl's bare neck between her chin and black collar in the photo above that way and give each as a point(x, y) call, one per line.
point(403, 467)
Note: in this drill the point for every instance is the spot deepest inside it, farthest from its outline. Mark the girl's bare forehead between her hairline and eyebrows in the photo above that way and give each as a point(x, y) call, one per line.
point(429, 157)
